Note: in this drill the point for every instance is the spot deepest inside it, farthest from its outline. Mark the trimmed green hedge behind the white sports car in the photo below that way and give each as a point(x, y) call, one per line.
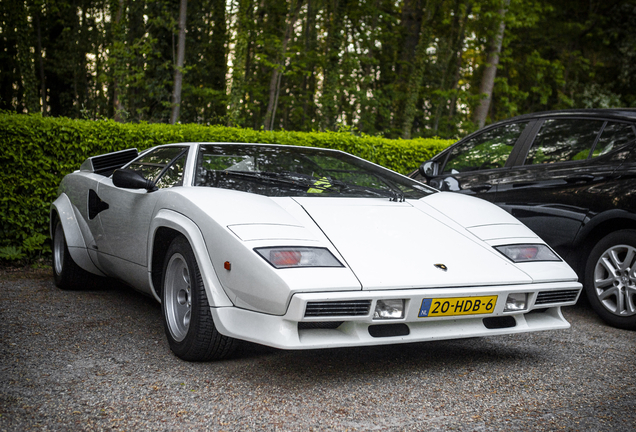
point(38, 151)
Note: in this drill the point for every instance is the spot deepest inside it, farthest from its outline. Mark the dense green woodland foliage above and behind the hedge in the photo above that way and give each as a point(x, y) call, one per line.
point(392, 68)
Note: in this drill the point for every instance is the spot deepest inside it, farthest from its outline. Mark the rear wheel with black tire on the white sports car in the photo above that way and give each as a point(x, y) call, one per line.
point(66, 273)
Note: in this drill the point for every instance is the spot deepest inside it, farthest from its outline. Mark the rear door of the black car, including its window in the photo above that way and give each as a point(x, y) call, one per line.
point(560, 178)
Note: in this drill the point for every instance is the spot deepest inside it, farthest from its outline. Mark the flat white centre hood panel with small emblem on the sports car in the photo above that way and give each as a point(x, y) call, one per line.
point(393, 245)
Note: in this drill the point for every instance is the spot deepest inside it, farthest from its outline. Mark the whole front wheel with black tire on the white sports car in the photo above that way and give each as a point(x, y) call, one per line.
point(187, 319)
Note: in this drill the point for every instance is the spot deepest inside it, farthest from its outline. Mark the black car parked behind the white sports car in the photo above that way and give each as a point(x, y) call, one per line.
point(571, 177)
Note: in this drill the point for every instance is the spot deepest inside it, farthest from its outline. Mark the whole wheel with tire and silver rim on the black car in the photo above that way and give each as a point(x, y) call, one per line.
point(610, 279)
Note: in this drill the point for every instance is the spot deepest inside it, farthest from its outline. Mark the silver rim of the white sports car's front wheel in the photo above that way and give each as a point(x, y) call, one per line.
point(177, 297)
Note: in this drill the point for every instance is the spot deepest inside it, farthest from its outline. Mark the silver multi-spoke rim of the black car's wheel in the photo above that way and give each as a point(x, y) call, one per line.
point(615, 280)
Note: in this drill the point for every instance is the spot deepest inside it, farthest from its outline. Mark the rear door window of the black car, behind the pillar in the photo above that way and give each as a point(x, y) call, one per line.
point(562, 140)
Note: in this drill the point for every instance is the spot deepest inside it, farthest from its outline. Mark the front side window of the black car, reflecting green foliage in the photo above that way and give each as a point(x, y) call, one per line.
point(487, 150)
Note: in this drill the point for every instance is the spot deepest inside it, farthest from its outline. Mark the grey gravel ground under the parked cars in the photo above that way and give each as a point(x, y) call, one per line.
point(98, 360)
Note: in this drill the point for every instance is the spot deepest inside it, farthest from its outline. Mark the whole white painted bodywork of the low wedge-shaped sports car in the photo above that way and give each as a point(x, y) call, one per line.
point(389, 249)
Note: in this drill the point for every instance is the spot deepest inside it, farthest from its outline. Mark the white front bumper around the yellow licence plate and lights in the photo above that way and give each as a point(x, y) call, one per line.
point(295, 330)
